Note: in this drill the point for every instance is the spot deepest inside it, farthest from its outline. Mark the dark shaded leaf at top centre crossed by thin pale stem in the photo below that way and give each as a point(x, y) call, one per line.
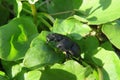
point(67, 8)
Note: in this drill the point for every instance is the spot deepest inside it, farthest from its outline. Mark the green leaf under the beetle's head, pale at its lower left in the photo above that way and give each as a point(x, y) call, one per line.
point(40, 53)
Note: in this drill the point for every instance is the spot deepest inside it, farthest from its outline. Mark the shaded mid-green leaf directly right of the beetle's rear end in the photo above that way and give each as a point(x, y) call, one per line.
point(89, 47)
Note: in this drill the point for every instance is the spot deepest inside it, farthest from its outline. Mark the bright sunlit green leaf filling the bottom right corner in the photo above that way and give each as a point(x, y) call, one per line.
point(111, 64)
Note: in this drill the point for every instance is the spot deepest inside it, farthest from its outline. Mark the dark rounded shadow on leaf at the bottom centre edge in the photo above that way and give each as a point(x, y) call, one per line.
point(57, 74)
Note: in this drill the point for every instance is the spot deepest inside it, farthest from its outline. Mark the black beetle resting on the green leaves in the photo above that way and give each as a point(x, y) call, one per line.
point(65, 44)
